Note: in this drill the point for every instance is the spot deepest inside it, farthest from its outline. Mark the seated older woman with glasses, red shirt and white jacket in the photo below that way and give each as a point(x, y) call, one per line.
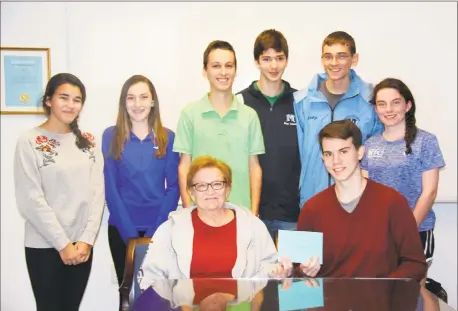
point(213, 238)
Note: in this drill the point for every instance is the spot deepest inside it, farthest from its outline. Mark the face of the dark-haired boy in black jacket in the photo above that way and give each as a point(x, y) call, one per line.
point(272, 65)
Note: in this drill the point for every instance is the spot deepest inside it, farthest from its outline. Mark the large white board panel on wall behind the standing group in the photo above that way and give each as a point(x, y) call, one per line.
point(165, 41)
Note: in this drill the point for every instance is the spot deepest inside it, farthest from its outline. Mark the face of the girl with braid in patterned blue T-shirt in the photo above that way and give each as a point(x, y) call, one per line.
point(391, 107)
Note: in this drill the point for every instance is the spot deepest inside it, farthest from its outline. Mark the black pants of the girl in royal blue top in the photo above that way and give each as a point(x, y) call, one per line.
point(118, 252)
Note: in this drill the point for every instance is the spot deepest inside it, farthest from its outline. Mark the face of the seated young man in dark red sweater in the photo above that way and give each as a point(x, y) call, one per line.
point(341, 158)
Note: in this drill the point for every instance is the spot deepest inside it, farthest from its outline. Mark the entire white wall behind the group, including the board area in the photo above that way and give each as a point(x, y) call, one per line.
point(105, 43)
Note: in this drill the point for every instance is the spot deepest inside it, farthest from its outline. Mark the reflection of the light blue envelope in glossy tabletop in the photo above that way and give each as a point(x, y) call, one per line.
point(299, 296)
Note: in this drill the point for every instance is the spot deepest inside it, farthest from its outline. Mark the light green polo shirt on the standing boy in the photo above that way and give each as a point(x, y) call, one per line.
point(231, 139)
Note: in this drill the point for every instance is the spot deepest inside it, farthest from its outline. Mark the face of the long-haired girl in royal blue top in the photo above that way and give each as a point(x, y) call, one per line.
point(139, 102)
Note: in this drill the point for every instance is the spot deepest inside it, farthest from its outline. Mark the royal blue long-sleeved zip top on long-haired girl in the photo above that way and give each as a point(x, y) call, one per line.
point(140, 189)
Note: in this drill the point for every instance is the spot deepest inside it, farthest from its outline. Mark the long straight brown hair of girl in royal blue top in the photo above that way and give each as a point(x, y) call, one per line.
point(124, 125)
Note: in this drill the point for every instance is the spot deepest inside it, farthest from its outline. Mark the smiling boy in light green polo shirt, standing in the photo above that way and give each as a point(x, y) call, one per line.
point(220, 126)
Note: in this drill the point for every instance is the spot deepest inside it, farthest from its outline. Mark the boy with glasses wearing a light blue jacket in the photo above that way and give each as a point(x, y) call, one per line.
point(337, 94)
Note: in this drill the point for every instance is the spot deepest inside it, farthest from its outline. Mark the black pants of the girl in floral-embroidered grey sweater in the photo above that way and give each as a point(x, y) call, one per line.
point(56, 286)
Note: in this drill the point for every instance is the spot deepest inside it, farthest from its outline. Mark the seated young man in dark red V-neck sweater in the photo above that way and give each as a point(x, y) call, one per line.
point(368, 228)
